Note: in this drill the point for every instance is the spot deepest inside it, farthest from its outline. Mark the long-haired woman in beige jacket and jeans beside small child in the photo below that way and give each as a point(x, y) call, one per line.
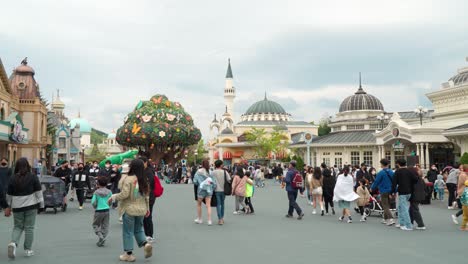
point(134, 202)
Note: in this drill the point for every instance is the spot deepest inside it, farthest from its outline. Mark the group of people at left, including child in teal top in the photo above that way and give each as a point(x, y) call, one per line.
point(132, 189)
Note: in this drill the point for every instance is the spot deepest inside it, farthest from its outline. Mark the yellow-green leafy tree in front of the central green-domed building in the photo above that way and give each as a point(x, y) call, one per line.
point(265, 143)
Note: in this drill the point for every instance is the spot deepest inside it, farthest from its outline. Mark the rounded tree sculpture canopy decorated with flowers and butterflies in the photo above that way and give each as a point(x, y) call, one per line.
point(159, 128)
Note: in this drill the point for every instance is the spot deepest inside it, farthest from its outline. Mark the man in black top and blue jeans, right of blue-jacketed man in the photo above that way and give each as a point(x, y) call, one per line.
point(403, 182)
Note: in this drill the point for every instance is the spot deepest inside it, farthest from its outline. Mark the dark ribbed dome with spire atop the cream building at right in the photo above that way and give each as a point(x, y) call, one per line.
point(361, 101)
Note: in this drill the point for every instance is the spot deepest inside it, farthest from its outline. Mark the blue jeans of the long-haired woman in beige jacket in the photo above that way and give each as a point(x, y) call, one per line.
point(133, 227)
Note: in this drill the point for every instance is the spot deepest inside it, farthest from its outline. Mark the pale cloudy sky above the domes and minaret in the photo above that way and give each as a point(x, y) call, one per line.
point(104, 56)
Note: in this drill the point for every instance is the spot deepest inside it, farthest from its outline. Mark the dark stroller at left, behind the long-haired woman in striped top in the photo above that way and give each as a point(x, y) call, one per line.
point(53, 190)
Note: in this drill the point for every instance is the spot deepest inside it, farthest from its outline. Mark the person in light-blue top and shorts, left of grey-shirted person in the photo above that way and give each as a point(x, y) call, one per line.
point(205, 187)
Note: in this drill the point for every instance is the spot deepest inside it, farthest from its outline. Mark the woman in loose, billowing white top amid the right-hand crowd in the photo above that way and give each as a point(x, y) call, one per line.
point(344, 193)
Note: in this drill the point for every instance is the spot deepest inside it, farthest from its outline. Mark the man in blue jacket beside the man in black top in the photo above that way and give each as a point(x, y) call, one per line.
point(383, 182)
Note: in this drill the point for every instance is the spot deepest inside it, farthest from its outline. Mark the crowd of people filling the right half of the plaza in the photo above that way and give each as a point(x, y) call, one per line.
point(395, 193)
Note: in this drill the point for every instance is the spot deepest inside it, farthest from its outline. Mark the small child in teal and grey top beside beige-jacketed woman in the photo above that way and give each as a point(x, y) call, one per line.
point(101, 215)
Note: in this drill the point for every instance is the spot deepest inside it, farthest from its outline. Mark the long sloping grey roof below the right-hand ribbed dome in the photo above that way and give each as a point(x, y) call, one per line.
point(346, 137)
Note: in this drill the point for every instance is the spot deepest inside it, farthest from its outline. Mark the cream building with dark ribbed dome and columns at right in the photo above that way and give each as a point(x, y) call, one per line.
point(363, 132)
